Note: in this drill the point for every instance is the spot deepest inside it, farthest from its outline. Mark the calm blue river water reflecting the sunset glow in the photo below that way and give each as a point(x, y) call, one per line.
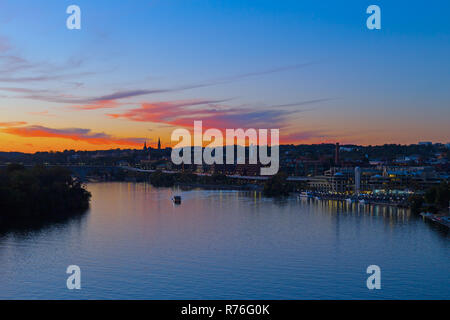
point(135, 244)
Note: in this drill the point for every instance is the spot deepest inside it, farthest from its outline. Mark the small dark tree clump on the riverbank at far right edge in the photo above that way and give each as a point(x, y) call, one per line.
point(434, 199)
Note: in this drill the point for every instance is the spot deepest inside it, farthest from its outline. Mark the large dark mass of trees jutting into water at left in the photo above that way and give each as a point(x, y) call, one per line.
point(40, 192)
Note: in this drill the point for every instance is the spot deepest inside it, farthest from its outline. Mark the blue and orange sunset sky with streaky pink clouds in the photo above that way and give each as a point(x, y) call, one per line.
point(137, 70)
